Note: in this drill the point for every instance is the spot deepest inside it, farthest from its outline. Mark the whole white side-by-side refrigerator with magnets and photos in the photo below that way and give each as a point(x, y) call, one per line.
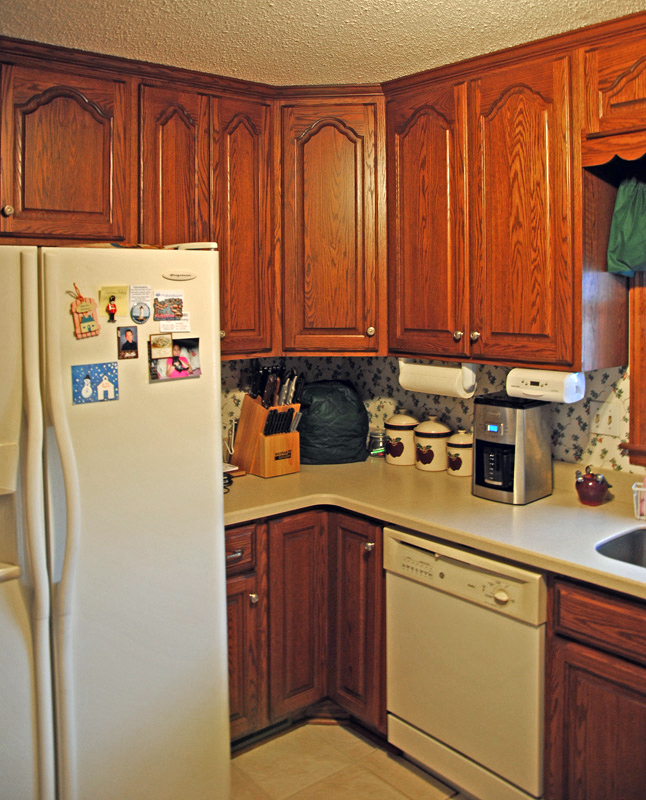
point(113, 633)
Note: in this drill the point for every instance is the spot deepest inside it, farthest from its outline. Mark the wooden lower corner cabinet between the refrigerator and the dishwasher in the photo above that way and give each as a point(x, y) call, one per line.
point(306, 619)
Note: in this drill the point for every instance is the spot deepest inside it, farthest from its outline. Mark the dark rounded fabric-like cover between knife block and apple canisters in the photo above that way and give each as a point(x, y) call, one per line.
point(334, 425)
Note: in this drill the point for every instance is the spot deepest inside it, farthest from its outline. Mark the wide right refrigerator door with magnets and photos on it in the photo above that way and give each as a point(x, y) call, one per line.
point(138, 601)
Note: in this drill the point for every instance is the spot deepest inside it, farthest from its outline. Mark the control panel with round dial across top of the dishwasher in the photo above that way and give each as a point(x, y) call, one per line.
point(511, 590)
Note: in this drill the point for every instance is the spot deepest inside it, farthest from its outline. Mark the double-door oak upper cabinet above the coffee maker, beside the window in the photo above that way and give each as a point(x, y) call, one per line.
point(486, 227)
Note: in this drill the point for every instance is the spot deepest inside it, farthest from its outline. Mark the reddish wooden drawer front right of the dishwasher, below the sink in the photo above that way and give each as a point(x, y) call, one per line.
point(610, 623)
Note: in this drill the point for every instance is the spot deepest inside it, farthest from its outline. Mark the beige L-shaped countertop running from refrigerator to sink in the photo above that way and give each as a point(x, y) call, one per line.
point(556, 533)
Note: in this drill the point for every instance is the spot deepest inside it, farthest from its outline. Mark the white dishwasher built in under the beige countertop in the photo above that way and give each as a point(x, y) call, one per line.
point(465, 666)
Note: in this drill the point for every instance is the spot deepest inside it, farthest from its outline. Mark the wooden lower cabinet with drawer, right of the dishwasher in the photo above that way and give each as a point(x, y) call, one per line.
point(596, 696)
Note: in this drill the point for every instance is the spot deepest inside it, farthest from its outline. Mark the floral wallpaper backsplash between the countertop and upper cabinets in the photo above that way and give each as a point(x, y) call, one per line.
point(376, 382)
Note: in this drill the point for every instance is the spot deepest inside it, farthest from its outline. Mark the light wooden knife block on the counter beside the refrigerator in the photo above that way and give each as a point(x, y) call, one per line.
point(265, 456)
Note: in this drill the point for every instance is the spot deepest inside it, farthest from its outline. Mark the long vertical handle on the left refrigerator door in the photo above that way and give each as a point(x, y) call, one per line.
point(34, 523)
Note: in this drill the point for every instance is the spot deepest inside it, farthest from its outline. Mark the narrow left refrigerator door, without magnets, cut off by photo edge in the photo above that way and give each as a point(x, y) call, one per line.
point(26, 744)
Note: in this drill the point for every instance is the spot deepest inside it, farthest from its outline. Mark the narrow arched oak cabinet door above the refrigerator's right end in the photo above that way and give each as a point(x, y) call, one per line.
point(175, 165)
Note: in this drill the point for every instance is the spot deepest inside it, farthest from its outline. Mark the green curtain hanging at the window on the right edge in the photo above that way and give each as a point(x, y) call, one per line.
point(627, 242)
